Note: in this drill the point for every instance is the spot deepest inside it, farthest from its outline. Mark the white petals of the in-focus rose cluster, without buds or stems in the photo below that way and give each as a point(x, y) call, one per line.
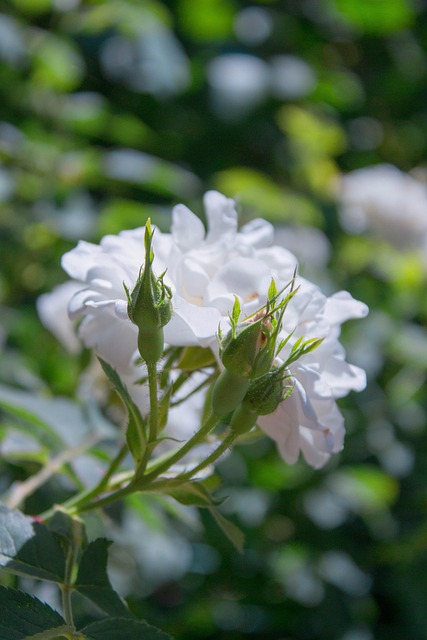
point(205, 271)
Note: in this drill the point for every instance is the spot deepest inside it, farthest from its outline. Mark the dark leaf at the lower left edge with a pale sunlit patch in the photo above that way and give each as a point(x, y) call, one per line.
point(29, 548)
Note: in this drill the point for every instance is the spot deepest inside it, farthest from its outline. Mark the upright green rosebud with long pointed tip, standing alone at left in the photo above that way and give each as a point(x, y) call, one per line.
point(149, 305)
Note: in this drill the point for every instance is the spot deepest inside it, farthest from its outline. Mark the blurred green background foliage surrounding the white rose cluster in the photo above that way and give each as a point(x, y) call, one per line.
point(113, 110)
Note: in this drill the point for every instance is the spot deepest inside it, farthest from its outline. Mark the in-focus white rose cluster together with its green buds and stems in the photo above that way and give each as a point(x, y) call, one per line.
point(275, 357)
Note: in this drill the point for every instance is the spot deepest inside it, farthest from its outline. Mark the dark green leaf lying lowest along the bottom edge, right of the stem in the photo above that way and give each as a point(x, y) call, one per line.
point(123, 629)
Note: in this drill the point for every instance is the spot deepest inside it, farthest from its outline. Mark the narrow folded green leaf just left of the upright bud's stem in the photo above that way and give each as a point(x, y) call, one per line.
point(136, 429)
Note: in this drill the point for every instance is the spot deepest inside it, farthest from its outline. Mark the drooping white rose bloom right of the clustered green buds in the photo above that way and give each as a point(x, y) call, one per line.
point(309, 420)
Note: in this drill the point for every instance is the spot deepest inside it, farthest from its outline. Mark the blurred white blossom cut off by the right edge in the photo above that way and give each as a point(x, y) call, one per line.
point(386, 202)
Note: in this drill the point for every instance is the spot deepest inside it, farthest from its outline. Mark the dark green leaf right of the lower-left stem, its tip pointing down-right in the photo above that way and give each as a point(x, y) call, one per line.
point(93, 582)
